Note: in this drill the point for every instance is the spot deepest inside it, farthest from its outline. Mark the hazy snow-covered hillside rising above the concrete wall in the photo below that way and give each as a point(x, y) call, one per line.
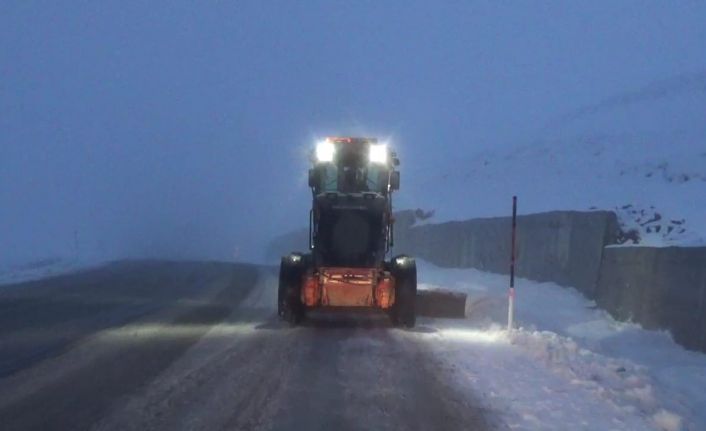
point(641, 154)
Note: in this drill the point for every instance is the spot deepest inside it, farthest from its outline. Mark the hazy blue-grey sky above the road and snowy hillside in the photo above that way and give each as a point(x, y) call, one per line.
point(182, 128)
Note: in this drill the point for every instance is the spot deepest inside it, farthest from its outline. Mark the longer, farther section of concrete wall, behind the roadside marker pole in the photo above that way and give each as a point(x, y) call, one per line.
point(565, 247)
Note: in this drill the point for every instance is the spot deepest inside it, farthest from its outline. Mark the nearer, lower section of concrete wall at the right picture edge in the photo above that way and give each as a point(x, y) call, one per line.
point(660, 288)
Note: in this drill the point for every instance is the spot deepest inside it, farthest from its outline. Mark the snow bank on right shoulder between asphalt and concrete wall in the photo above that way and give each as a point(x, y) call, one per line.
point(569, 366)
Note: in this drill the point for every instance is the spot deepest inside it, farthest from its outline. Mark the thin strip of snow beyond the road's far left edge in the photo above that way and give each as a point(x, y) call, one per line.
point(36, 270)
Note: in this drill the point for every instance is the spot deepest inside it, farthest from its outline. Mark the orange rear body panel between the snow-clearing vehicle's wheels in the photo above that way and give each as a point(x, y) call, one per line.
point(348, 287)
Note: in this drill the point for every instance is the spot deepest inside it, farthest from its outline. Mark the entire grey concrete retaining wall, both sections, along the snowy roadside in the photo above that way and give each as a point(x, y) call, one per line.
point(659, 288)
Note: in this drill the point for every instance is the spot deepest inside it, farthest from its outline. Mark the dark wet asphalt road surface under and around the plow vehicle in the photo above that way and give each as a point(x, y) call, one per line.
point(197, 346)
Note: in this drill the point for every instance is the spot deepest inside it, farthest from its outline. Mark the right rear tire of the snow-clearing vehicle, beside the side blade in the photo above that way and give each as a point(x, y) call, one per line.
point(404, 271)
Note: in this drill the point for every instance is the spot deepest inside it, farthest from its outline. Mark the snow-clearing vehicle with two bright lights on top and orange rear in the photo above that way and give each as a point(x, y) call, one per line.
point(352, 181)
